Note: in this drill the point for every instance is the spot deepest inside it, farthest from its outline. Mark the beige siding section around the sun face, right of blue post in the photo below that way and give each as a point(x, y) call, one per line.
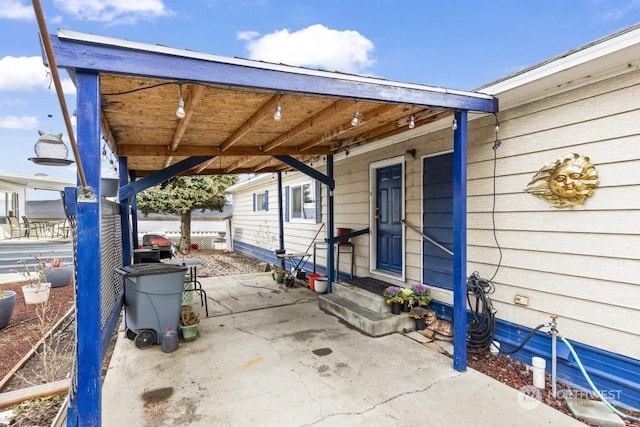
point(581, 264)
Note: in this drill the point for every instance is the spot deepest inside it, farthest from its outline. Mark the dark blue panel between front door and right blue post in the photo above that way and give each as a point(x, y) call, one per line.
point(437, 220)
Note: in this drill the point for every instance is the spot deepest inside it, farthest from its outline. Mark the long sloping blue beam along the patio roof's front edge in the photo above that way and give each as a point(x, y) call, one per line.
point(79, 54)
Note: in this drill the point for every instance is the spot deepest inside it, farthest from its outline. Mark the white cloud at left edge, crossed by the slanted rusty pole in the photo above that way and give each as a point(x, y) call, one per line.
point(28, 73)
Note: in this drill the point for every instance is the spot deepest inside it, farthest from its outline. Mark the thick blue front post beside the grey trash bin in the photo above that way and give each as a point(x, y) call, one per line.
point(87, 408)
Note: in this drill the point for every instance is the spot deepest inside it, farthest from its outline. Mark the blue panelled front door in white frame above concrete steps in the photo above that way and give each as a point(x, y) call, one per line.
point(388, 218)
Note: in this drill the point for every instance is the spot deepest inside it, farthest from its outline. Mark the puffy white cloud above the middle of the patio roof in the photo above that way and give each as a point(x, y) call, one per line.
point(316, 46)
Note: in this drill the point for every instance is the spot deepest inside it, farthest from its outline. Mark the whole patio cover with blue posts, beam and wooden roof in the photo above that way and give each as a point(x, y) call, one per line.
point(233, 116)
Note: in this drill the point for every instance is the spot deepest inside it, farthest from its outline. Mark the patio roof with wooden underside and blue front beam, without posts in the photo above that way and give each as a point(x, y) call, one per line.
point(230, 104)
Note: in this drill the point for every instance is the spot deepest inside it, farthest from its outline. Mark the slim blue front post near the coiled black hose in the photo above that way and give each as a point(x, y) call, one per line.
point(460, 242)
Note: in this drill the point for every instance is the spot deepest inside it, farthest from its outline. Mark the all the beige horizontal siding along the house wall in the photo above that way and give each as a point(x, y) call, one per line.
point(581, 264)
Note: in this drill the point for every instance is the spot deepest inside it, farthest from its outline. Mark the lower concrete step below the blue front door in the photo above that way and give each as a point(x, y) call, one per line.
point(368, 321)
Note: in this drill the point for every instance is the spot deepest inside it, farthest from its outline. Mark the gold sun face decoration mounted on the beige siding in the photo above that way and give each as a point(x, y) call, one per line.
point(565, 183)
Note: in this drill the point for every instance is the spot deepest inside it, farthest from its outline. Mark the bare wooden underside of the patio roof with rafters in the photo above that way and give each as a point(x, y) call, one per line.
point(237, 125)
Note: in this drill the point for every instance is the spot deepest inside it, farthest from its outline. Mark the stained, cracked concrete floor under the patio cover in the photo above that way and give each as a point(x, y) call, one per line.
point(266, 357)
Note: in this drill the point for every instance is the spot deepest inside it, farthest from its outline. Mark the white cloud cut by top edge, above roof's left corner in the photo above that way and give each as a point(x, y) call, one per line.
point(114, 11)
